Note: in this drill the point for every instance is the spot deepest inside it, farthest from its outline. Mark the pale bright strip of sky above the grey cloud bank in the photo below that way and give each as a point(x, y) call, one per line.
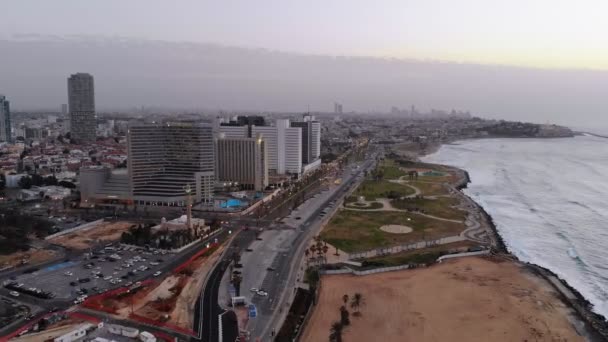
point(537, 33)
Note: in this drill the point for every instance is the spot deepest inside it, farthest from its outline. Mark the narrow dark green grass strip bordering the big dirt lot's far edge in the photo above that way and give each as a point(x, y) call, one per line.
point(425, 256)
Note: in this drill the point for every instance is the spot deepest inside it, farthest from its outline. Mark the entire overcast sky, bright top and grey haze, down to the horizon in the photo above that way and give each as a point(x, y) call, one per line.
point(537, 60)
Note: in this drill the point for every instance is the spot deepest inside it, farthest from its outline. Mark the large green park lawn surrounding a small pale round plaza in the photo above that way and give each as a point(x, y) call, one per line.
point(355, 231)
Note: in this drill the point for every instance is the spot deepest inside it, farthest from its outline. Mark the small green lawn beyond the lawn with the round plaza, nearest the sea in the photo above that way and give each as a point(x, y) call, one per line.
point(441, 206)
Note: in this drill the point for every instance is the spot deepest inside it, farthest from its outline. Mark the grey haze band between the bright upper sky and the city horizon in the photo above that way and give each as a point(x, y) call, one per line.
point(203, 77)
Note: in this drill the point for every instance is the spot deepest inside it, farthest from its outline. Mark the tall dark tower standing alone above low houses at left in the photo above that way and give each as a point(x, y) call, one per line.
point(81, 99)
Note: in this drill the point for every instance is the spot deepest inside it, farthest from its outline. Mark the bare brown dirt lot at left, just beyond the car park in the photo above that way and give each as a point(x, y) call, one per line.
point(84, 239)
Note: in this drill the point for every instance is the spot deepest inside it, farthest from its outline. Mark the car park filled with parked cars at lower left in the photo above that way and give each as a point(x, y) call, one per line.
point(96, 272)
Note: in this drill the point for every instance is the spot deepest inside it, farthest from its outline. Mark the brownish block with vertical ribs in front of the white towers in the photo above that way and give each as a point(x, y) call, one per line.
point(242, 160)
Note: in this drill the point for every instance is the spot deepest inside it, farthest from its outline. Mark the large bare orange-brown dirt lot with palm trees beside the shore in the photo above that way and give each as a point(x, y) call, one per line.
point(468, 299)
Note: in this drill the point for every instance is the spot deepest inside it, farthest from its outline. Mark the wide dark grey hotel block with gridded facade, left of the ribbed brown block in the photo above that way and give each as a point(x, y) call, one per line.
point(166, 158)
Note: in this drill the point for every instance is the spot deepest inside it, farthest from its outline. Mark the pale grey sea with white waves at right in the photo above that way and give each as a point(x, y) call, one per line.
point(549, 201)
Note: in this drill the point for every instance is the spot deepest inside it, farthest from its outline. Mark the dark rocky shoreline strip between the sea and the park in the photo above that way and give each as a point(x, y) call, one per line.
point(595, 325)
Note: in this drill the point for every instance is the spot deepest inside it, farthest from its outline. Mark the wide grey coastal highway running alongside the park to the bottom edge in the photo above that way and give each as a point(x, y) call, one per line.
point(274, 262)
